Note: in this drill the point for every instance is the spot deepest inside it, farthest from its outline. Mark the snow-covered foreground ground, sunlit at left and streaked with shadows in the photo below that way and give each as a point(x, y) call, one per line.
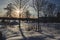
point(49, 32)
